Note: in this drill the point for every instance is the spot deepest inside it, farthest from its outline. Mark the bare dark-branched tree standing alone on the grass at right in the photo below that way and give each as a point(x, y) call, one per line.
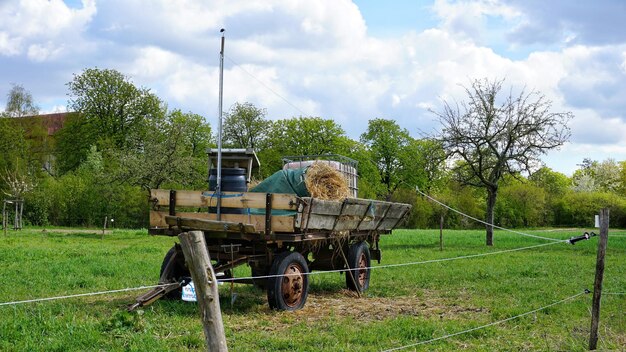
point(490, 137)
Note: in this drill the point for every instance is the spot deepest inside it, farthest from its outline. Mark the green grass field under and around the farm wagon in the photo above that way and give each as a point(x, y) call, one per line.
point(404, 305)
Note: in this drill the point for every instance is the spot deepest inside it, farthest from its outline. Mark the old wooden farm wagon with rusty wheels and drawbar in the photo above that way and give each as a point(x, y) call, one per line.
point(282, 237)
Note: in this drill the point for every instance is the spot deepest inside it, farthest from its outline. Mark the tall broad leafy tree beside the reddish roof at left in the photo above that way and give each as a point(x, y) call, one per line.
point(112, 107)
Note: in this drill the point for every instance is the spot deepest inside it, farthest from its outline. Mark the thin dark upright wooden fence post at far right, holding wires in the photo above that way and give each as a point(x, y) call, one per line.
point(597, 286)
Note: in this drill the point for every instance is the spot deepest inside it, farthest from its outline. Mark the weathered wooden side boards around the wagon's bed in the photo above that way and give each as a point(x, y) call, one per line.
point(257, 213)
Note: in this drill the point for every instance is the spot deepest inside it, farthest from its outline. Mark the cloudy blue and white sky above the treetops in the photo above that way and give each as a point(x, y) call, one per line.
point(348, 61)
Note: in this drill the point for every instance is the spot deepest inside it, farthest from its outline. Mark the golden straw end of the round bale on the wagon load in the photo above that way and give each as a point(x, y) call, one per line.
point(325, 182)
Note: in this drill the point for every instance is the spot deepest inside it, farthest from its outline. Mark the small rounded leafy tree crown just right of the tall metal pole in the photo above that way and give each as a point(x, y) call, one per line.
point(245, 126)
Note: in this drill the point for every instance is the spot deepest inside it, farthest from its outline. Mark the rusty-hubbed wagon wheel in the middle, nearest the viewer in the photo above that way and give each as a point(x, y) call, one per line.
point(288, 292)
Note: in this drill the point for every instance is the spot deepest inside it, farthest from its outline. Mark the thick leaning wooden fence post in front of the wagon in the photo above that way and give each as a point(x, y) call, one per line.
point(203, 276)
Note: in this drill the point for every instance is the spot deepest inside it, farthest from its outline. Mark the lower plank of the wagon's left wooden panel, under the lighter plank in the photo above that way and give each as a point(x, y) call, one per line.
point(279, 223)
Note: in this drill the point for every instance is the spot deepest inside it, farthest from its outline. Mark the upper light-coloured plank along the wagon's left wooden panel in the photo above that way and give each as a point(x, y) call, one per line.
point(254, 200)
